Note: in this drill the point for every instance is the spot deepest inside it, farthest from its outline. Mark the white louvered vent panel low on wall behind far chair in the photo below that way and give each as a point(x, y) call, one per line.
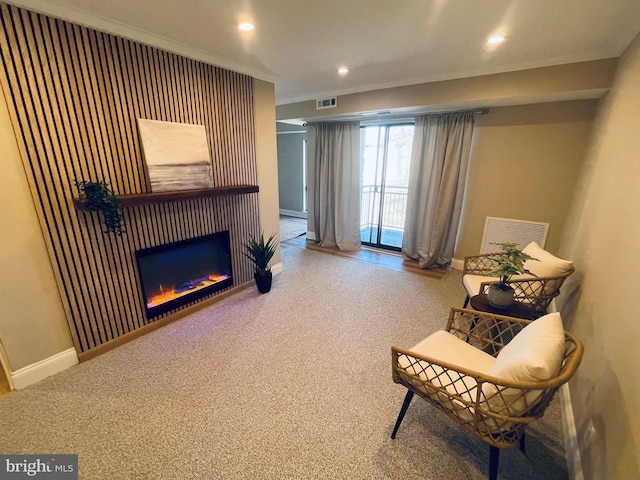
point(521, 232)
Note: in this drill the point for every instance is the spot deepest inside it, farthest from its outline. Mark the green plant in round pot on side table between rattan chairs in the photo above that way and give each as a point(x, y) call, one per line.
point(509, 263)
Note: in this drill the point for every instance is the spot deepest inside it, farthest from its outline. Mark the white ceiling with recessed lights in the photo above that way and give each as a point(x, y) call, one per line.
point(300, 44)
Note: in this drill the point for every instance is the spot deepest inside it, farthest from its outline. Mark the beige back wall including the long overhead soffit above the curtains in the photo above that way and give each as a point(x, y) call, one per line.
point(532, 132)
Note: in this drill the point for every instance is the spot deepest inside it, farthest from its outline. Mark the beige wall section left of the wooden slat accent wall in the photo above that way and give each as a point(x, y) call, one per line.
point(33, 326)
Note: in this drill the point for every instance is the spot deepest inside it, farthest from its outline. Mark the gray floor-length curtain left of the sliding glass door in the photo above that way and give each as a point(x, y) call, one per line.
point(336, 179)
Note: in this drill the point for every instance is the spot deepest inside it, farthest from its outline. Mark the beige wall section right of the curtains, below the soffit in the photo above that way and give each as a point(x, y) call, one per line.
point(524, 165)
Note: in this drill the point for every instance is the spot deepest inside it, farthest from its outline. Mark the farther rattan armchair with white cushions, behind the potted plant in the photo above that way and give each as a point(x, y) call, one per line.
point(534, 292)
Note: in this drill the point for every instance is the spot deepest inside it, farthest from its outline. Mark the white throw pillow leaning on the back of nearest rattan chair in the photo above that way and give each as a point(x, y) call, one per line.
point(534, 354)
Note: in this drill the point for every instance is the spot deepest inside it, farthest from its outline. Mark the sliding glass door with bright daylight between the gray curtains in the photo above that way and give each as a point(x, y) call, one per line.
point(385, 155)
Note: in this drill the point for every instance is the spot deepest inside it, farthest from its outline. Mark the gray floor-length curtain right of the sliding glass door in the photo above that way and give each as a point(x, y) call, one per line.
point(439, 161)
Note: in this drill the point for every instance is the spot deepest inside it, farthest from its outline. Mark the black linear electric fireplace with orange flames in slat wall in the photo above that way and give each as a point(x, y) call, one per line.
point(177, 273)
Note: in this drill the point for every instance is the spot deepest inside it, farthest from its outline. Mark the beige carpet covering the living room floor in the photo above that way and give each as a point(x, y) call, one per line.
point(294, 384)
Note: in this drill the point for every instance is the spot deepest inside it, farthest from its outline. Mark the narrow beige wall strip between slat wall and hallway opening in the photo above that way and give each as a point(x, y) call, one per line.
point(267, 158)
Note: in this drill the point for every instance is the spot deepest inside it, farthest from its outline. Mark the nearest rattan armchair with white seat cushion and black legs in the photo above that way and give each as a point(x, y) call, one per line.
point(494, 409)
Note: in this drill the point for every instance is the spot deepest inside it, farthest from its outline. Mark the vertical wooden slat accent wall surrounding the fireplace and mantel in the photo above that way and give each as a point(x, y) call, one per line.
point(74, 95)
